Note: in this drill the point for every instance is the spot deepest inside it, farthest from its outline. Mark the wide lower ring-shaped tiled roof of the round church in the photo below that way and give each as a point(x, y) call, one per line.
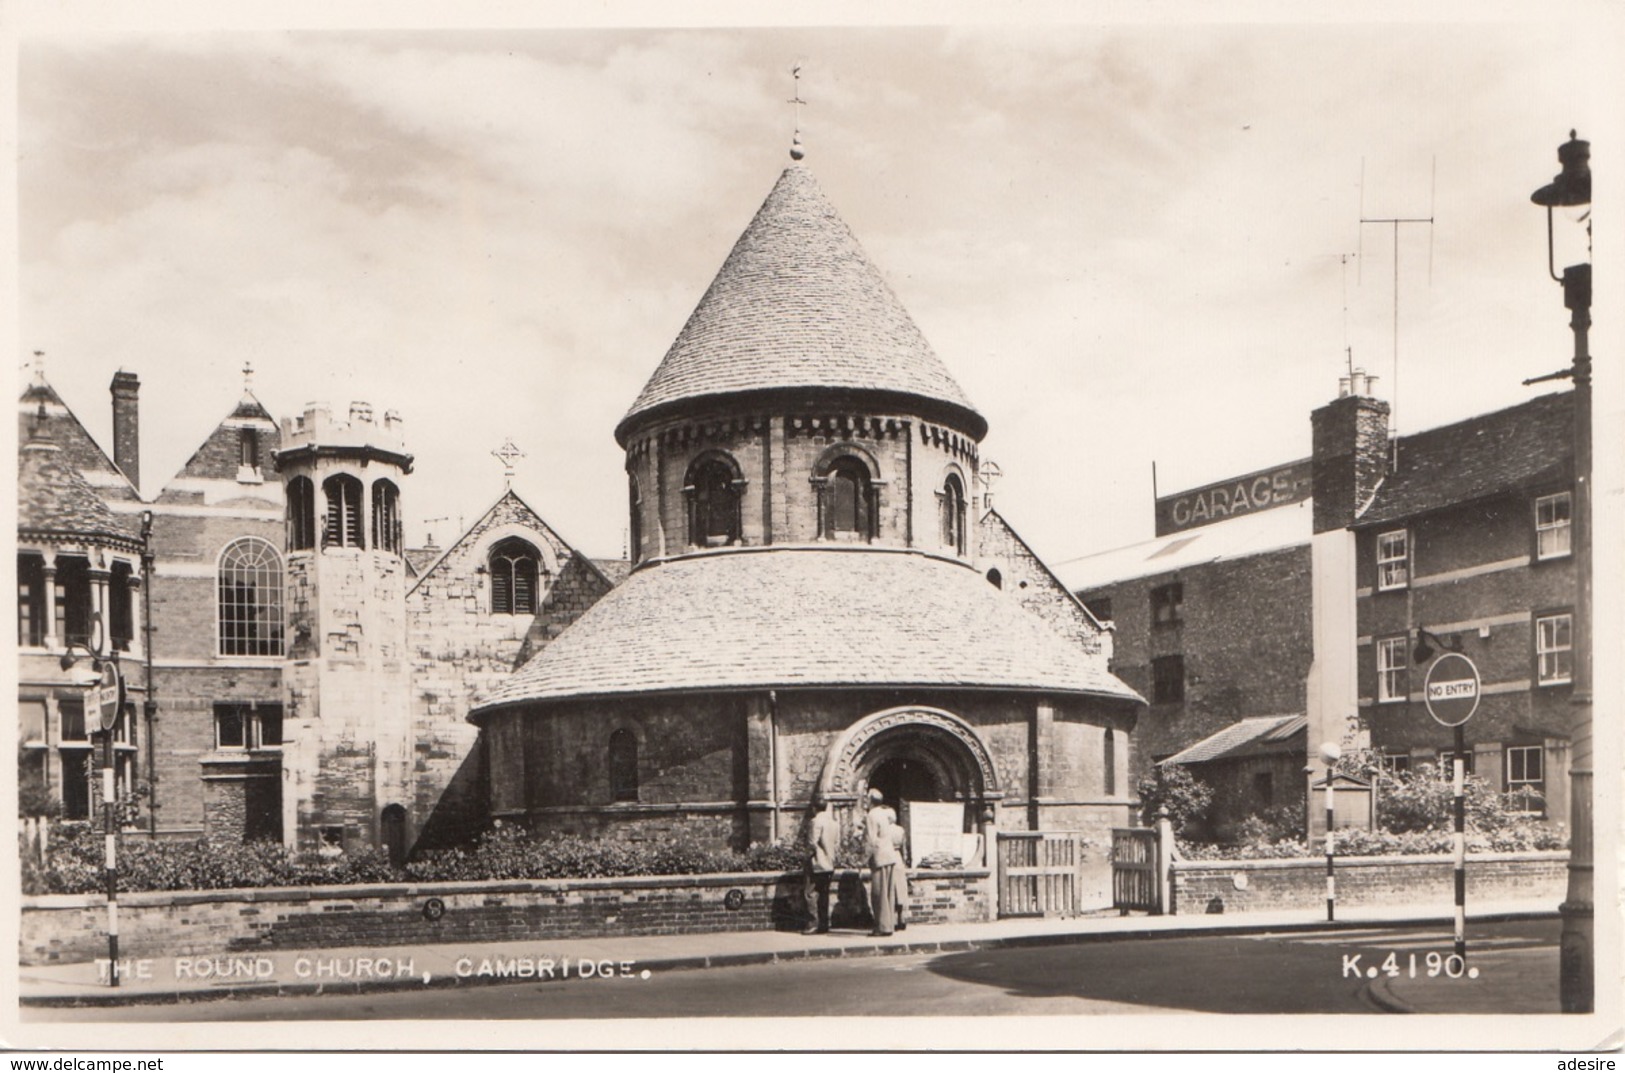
point(805, 617)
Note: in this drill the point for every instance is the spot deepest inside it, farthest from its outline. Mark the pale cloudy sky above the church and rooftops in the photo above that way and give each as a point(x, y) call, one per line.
point(1132, 241)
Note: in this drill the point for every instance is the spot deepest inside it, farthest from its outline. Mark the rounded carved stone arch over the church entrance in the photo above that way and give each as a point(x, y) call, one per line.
point(916, 755)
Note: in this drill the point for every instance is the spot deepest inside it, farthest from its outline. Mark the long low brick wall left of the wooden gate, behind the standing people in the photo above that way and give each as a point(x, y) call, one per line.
point(157, 924)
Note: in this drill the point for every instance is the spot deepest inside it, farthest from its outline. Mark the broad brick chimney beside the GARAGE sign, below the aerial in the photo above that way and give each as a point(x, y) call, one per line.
point(1351, 453)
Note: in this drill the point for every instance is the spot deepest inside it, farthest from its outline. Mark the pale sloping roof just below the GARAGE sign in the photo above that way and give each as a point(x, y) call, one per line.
point(1244, 536)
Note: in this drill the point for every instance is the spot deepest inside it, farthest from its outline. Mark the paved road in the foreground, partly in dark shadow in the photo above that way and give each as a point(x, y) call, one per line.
point(1283, 973)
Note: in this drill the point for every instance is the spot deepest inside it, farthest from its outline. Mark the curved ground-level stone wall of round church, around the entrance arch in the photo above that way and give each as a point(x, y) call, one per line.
point(714, 767)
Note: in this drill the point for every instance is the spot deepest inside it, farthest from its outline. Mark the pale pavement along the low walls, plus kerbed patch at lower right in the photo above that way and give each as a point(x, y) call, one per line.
point(266, 973)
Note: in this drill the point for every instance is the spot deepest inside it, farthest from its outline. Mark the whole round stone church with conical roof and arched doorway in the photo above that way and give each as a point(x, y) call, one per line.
point(821, 604)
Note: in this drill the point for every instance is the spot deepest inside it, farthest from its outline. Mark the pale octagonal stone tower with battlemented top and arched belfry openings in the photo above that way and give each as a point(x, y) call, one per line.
point(349, 750)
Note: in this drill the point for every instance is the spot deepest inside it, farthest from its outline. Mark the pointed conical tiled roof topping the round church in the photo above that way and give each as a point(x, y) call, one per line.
point(799, 305)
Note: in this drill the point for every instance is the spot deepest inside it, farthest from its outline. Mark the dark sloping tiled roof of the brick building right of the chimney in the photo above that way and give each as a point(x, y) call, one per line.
point(1514, 450)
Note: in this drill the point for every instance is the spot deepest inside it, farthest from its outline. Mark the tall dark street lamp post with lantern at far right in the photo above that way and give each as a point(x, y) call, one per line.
point(1572, 189)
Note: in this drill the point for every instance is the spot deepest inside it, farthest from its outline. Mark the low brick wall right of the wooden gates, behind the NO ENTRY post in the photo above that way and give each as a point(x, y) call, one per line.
point(1301, 884)
